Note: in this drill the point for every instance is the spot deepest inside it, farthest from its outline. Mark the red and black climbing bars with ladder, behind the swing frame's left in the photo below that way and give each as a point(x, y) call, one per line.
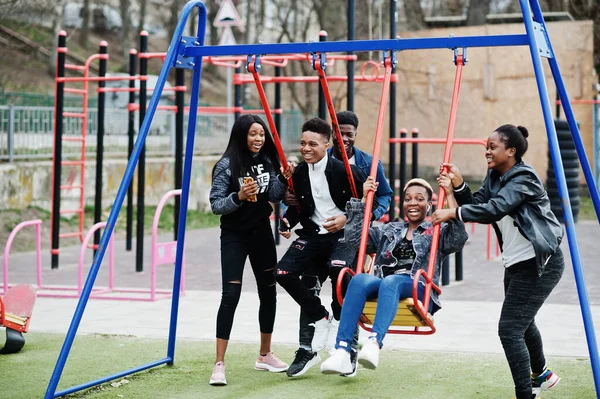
point(143, 81)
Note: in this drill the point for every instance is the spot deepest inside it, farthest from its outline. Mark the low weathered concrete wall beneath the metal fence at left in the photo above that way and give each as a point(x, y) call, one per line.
point(29, 183)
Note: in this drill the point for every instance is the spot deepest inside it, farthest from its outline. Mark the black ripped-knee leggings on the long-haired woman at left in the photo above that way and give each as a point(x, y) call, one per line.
point(257, 244)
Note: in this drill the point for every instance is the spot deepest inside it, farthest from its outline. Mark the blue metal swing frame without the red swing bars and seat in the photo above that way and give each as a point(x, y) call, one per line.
point(187, 52)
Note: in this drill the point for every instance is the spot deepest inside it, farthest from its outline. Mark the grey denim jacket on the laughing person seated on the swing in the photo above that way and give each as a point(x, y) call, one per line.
point(383, 239)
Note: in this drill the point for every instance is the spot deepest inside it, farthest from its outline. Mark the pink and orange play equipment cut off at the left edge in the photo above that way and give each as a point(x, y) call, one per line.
point(15, 314)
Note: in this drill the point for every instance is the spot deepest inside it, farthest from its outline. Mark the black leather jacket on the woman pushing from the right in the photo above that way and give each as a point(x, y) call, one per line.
point(520, 194)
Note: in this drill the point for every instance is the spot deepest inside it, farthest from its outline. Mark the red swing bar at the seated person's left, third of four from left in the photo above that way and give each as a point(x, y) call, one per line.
point(376, 147)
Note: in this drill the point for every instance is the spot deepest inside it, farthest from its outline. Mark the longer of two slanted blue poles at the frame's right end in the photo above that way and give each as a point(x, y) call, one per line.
point(562, 184)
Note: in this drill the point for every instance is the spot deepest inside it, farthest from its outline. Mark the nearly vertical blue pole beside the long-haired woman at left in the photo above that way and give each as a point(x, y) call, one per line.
point(185, 185)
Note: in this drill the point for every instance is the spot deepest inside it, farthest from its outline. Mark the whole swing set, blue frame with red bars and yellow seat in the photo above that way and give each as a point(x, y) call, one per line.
point(187, 52)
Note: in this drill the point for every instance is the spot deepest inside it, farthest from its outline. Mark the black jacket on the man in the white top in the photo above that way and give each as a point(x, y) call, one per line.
point(339, 188)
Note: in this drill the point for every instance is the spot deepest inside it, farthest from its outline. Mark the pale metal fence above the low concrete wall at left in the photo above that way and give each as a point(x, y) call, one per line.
point(27, 133)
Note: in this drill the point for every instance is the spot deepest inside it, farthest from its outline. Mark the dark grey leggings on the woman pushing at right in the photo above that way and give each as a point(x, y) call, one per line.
point(525, 293)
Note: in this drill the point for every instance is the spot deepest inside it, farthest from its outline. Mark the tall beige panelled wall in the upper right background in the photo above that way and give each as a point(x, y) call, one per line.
point(498, 87)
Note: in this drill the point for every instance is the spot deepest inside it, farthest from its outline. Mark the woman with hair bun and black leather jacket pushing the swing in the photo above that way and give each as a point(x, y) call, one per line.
point(512, 199)
